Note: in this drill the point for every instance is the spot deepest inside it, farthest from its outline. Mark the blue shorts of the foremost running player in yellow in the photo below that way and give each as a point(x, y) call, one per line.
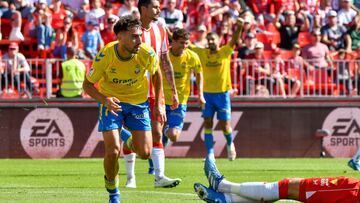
point(134, 117)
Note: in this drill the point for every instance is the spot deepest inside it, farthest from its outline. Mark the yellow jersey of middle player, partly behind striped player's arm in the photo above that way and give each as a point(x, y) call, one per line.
point(182, 66)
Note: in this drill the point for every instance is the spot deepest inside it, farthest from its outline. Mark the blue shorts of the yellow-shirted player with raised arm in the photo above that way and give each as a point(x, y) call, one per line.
point(219, 103)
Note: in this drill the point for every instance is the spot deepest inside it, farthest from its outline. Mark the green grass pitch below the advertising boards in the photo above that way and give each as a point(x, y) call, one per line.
point(81, 180)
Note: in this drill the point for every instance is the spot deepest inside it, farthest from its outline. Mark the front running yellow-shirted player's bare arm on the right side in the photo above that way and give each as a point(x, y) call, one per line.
point(157, 82)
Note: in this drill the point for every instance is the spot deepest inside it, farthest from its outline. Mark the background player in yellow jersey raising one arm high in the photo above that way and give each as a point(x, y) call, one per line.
point(217, 83)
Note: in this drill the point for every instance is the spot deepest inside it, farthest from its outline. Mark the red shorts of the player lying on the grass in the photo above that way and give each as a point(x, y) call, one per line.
point(330, 190)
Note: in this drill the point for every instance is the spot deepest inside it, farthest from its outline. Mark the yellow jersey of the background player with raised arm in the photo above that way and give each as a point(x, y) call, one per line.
point(216, 68)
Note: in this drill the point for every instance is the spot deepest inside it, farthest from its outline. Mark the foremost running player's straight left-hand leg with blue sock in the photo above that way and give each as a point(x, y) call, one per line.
point(111, 165)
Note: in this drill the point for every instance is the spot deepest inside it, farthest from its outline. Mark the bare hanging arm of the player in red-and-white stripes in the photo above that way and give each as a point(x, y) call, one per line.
point(169, 75)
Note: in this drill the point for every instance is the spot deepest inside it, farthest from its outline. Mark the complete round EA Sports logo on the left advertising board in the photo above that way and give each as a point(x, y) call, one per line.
point(46, 133)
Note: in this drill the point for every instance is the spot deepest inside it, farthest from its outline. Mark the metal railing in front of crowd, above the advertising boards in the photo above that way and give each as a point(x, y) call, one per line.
point(285, 79)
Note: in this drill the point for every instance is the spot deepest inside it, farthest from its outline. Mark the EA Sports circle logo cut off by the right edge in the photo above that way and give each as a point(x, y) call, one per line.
point(344, 127)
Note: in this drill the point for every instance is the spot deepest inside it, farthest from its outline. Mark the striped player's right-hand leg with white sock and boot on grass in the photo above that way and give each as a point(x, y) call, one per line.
point(158, 158)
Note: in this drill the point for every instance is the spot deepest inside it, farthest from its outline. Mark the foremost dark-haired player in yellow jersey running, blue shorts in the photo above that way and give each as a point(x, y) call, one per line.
point(121, 69)
